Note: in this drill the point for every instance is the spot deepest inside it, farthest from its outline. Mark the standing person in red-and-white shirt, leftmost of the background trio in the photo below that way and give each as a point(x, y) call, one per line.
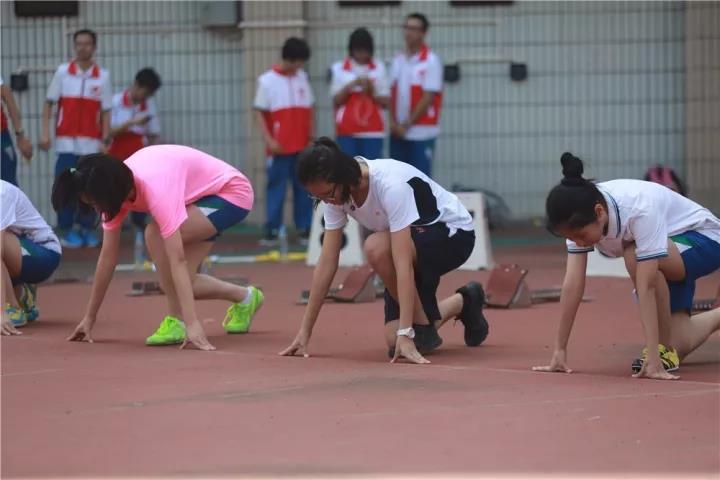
point(284, 113)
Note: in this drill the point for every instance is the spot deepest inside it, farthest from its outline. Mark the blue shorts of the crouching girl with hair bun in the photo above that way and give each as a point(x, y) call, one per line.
point(701, 257)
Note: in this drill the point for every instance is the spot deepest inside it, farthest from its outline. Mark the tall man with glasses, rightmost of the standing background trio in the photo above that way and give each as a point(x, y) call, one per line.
point(417, 81)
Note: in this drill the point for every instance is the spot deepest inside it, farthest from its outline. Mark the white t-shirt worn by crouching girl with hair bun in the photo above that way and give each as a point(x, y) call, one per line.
point(648, 213)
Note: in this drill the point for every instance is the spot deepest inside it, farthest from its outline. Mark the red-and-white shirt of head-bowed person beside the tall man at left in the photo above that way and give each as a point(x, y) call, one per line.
point(135, 137)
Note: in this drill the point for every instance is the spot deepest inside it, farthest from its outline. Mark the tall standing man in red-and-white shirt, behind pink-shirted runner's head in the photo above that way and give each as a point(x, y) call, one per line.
point(83, 94)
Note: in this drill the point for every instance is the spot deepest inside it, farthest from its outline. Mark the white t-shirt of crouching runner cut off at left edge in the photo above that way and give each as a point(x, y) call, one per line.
point(19, 215)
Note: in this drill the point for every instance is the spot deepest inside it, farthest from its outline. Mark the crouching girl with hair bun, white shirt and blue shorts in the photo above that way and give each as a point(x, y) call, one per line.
point(667, 241)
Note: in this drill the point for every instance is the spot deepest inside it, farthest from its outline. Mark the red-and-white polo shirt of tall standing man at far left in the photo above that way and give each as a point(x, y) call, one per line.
point(81, 97)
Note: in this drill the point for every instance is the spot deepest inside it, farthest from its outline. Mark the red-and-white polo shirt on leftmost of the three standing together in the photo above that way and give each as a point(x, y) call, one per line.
point(287, 104)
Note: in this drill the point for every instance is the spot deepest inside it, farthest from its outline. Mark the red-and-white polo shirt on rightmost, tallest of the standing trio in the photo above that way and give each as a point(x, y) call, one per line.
point(412, 76)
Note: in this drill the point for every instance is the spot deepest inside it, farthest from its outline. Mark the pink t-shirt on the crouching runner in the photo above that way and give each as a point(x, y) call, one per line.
point(168, 178)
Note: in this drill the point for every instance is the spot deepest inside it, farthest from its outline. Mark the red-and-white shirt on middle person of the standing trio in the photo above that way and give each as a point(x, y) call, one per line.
point(360, 116)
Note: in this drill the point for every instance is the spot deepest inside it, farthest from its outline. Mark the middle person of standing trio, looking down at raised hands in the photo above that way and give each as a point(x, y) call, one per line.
point(360, 91)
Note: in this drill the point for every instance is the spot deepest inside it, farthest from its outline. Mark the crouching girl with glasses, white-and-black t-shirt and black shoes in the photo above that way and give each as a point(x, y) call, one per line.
point(420, 232)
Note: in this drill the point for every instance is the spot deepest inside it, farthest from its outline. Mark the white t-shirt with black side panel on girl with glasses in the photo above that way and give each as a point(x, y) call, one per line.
point(400, 195)
